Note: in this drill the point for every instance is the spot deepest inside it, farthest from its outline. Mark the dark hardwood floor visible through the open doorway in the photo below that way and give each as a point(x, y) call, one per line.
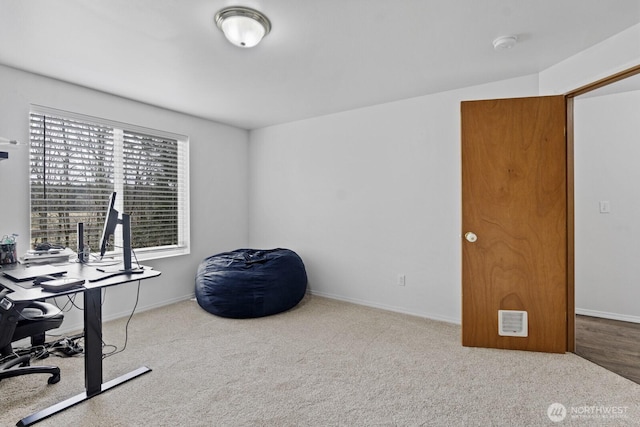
point(612, 344)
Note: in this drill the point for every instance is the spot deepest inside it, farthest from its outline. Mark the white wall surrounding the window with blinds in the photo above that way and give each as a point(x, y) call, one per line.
point(218, 185)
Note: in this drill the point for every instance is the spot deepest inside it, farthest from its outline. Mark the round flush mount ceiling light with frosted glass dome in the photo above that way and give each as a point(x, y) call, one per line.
point(242, 26)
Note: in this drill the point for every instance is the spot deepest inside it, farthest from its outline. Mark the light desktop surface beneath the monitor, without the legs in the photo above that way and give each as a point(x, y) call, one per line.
point(76, 270)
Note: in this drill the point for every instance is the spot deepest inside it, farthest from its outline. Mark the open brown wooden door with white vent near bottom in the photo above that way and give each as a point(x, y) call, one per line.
point(514, 198)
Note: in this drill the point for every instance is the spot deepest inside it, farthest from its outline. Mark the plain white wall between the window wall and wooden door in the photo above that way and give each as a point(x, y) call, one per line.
point(368, 194)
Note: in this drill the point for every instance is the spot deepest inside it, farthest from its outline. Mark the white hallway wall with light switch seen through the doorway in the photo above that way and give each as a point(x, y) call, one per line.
point(607, 152)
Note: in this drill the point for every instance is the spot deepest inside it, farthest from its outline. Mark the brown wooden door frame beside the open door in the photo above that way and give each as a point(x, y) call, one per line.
point(570, 96)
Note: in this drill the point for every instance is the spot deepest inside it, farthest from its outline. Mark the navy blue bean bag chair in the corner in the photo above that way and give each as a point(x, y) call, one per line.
point(250, 283)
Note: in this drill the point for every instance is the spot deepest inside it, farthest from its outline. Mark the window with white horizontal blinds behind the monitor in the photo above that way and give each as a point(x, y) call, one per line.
point(77, 161)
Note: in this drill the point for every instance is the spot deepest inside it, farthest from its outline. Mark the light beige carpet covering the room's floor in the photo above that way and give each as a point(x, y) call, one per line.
point(324, 363)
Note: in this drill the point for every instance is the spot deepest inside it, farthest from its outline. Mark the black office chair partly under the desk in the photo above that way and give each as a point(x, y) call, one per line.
point(19, 321)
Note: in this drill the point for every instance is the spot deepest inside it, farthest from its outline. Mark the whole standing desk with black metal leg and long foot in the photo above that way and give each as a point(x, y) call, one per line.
point(91, 291)
